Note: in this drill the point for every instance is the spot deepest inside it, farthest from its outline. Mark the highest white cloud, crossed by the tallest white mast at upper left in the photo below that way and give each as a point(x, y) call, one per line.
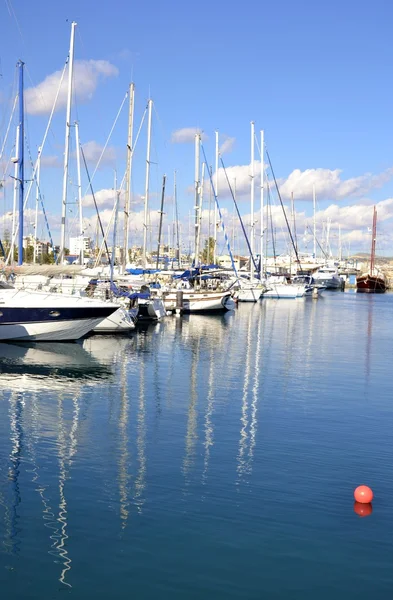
point(87, 74)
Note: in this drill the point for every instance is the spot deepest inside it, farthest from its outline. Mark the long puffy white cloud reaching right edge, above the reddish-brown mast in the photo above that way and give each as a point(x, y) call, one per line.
point(329, 184)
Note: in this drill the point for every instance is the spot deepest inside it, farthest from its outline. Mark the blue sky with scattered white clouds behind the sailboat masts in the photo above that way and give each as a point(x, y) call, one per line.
point(315, 77)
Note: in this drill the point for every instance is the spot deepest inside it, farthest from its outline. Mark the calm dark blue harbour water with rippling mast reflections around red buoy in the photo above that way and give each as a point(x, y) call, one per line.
point(203, 458)
